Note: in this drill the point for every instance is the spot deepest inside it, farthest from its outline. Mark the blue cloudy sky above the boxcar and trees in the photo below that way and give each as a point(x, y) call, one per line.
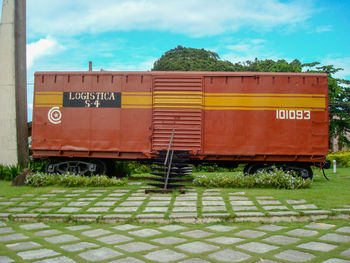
point(131, 35)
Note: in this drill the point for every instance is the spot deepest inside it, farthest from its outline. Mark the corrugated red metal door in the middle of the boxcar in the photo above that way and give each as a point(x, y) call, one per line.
point(177, 104)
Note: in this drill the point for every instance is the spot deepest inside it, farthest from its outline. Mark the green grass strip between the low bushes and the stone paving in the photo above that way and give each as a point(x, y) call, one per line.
point(325, 194)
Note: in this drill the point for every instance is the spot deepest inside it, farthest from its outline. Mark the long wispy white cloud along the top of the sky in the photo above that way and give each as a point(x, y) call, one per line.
point(191, 17)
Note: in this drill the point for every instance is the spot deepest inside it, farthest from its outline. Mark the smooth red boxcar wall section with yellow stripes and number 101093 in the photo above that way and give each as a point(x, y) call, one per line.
point(266, 118)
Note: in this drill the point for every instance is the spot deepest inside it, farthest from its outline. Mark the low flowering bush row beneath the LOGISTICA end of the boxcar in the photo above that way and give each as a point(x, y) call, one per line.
point(71, 180)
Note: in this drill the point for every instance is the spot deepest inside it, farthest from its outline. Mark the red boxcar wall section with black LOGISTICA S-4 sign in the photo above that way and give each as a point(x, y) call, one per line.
point(92, 115)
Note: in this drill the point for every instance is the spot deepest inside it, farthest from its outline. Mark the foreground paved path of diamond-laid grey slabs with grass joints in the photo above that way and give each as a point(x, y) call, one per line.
point(134, 243)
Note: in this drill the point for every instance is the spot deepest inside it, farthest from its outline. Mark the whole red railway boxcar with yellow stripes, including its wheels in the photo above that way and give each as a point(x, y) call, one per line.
point(83, 119)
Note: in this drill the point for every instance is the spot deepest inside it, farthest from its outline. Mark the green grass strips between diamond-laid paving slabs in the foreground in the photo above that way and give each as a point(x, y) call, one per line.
point(255, 257)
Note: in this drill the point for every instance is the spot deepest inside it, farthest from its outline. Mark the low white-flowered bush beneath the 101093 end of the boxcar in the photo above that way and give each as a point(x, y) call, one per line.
point(276, 179)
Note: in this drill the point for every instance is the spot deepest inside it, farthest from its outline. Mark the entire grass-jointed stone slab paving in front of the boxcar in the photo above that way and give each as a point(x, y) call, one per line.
point(216, 242)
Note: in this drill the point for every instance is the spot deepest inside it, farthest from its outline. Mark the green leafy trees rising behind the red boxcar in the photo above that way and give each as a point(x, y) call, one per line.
point(192, 59)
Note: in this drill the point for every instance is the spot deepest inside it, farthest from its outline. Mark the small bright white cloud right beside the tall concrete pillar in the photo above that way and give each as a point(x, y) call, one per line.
point(41, 48)
